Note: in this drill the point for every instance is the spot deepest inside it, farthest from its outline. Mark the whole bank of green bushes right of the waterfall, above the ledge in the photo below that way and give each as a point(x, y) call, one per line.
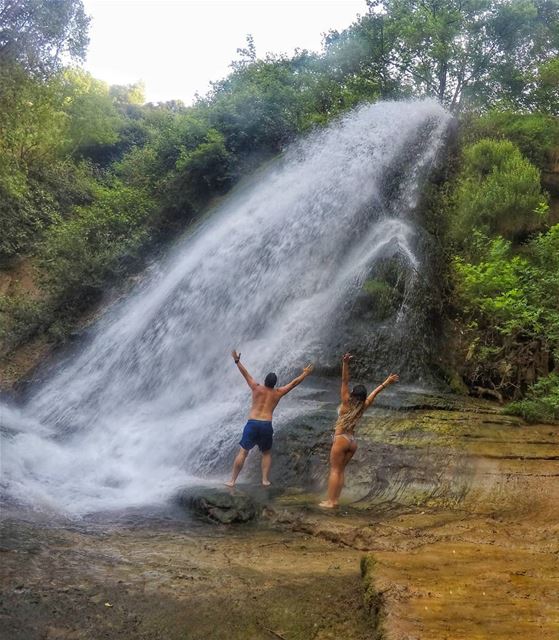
point(505, 276)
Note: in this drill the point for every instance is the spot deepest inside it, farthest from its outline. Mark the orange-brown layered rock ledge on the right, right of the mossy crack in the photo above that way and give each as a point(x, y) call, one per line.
point(474, 554)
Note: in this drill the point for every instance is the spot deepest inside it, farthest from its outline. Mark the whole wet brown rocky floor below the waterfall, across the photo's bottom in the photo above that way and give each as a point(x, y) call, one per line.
point(449, 529)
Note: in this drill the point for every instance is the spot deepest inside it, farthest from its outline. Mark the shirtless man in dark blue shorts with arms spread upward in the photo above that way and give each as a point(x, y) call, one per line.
point(258, 430)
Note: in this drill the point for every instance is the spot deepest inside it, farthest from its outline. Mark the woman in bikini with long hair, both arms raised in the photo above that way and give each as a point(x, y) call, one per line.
point(353, 406)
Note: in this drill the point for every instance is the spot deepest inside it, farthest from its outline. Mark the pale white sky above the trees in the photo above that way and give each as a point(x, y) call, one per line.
point(176, 47)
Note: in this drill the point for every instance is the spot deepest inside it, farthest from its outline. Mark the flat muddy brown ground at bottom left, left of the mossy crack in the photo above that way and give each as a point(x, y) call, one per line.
point(158, 581)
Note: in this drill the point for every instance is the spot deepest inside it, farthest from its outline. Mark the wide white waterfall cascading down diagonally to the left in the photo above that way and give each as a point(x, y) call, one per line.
point(151, 400)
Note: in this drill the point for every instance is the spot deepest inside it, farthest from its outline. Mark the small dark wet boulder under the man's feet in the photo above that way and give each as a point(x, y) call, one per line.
point(220, 505)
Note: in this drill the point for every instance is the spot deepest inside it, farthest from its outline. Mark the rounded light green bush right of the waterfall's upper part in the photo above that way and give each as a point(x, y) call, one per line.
point(497, 192)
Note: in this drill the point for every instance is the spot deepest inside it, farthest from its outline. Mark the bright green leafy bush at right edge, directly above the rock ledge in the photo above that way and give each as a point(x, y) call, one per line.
point(508, 307)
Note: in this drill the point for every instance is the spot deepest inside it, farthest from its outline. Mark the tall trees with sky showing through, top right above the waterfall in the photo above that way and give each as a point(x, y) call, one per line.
point(461, 52)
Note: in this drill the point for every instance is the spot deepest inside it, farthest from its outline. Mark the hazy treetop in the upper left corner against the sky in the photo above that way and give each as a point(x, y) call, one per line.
point(38, 34)
